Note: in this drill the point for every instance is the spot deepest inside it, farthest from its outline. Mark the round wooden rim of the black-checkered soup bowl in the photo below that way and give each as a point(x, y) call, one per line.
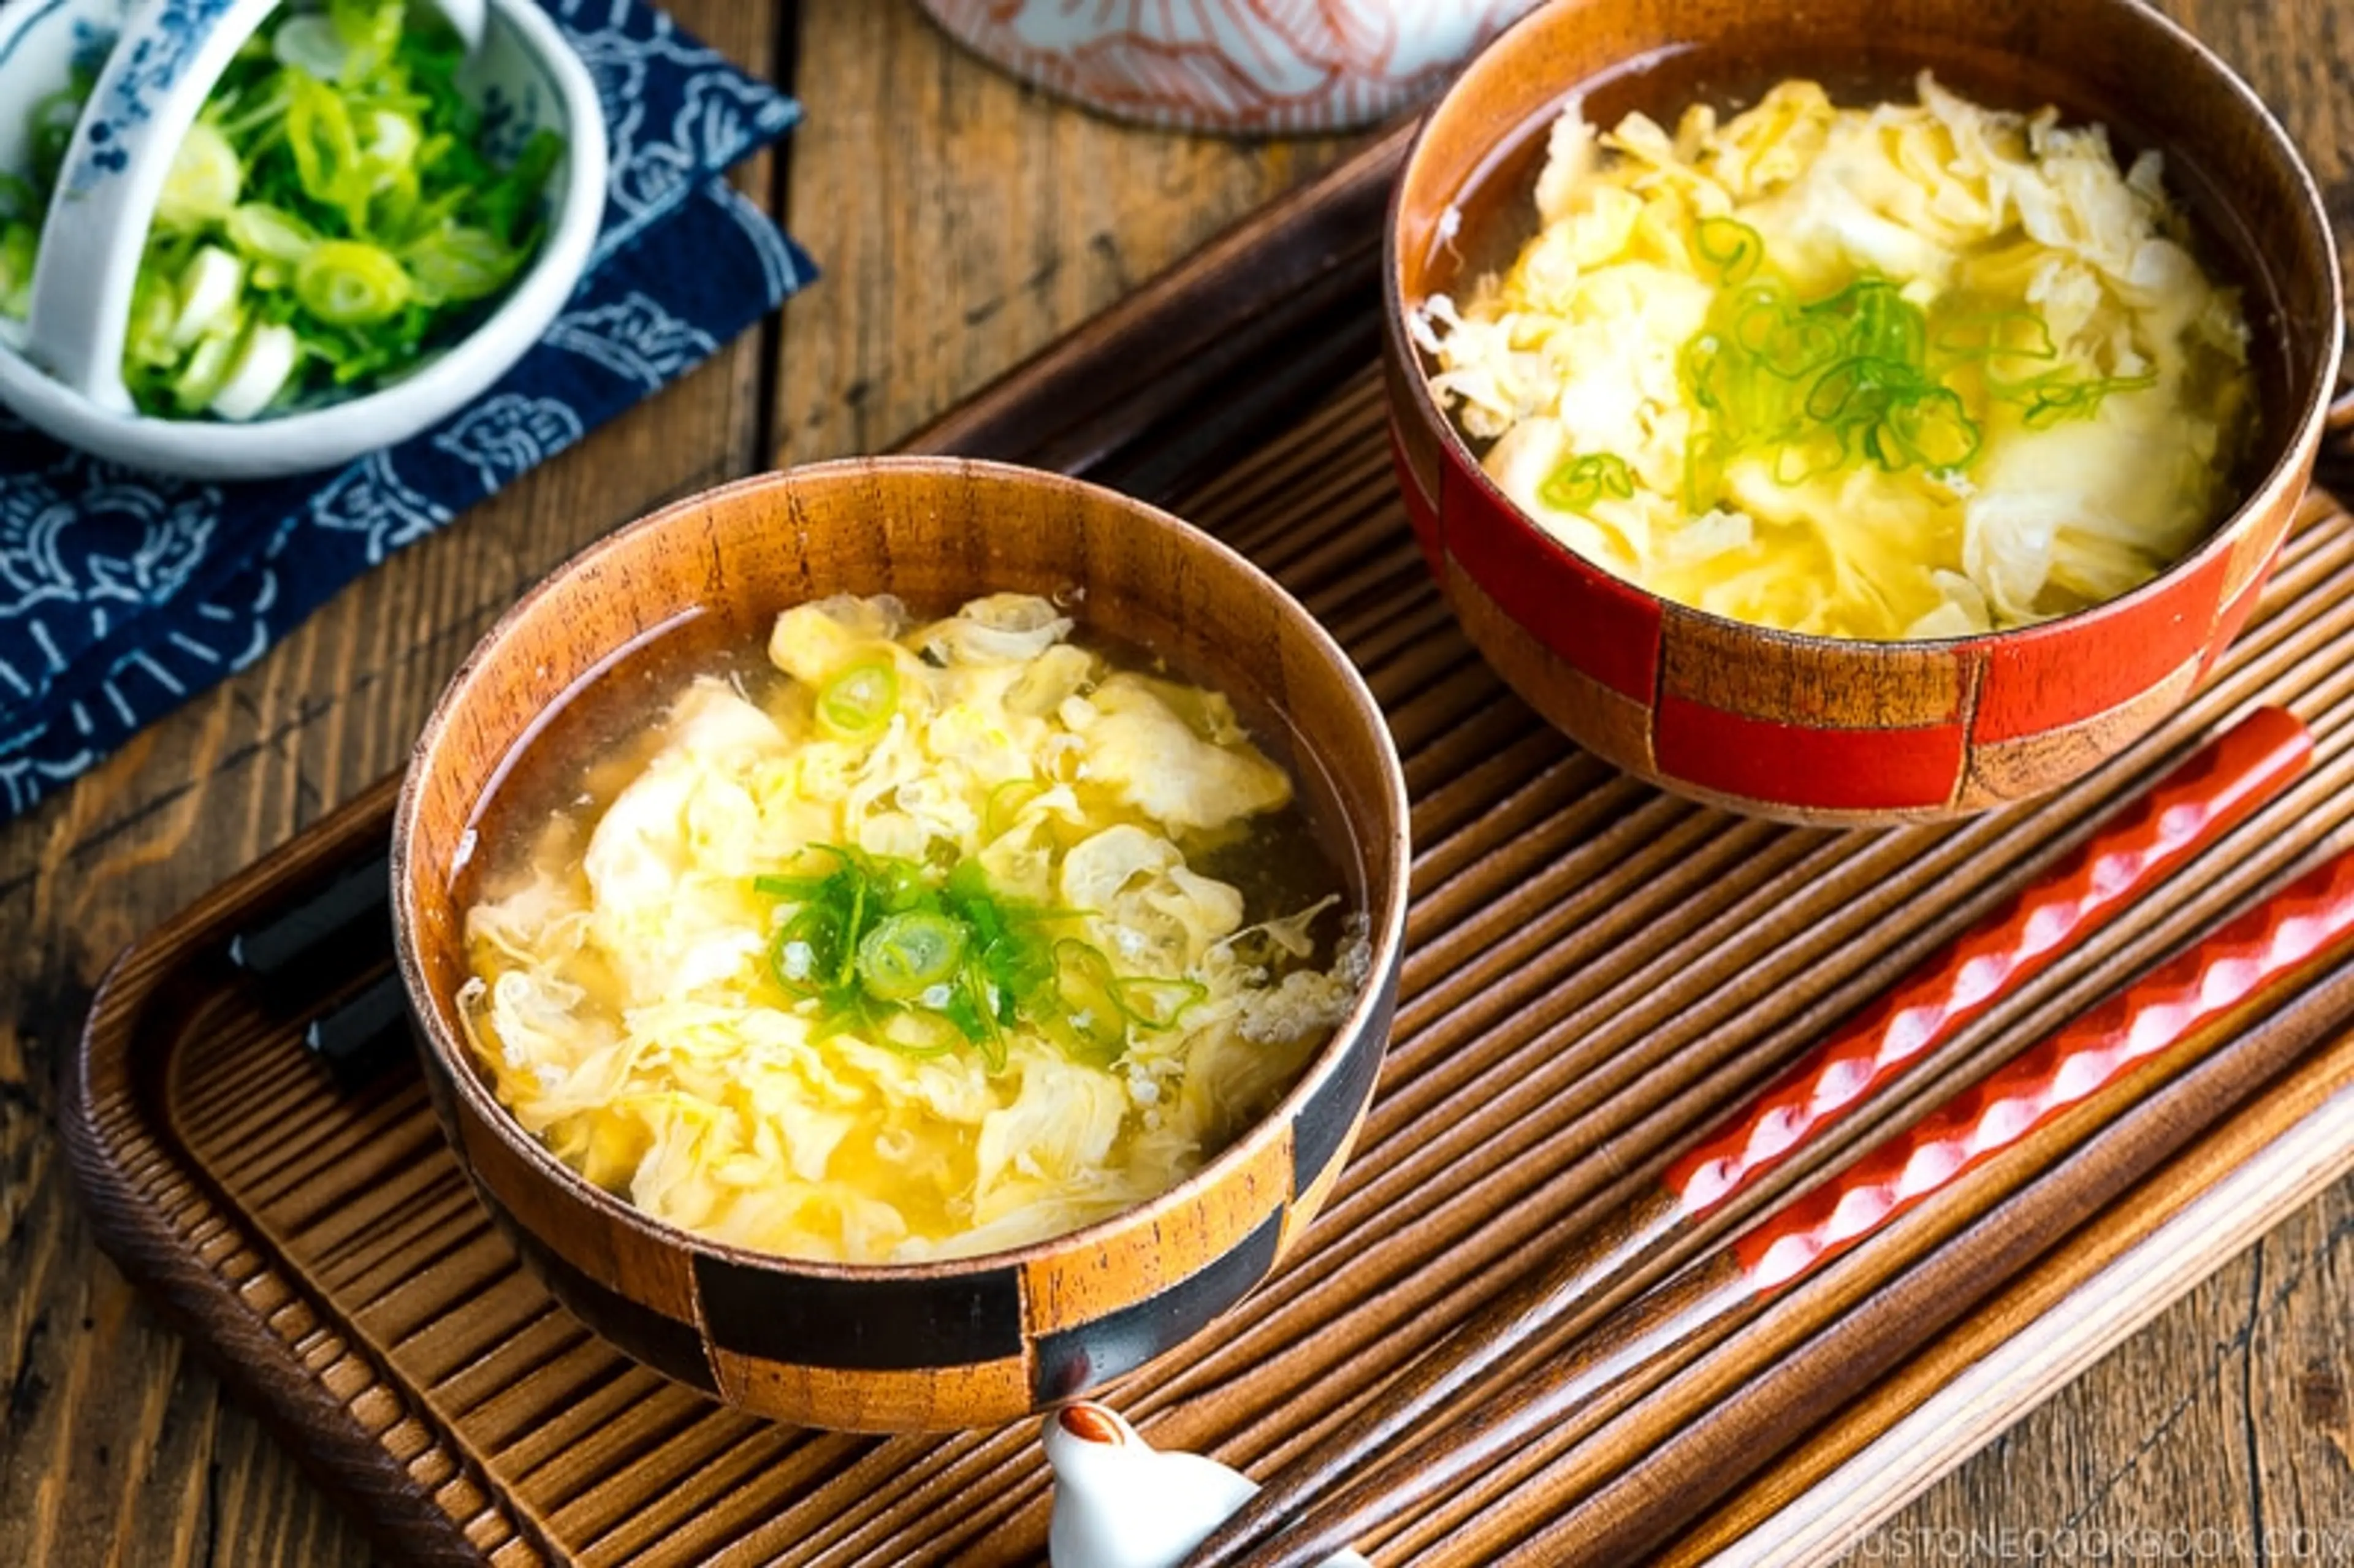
point(1385, 915)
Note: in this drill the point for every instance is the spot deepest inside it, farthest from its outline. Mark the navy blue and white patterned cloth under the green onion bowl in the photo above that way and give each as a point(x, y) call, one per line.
point(124, 594)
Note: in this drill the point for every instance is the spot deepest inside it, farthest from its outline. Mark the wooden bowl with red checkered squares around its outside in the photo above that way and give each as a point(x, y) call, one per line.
point(1816, 729)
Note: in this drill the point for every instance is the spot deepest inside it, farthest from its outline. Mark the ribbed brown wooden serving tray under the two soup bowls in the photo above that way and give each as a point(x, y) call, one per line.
point(1595, 974)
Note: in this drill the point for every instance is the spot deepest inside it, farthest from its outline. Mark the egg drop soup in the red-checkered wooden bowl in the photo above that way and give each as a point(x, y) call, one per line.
point(1908, 371)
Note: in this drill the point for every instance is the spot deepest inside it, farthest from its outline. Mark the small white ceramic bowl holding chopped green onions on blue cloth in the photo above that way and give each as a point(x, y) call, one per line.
point(524, 62)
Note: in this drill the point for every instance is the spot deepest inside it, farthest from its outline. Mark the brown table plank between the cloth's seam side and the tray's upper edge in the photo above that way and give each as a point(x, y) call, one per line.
point(969, 220)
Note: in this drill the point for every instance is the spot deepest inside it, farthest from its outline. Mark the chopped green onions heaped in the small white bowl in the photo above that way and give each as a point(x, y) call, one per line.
point(338, 178)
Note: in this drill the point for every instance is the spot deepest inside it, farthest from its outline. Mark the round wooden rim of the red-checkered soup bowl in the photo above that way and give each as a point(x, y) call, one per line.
point(2287, 474)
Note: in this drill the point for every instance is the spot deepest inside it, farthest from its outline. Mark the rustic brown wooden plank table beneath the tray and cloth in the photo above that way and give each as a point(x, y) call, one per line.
point(962, 222)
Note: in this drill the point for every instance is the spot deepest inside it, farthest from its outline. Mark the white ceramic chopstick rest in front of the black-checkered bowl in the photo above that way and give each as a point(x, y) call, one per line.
point(1122, 1503)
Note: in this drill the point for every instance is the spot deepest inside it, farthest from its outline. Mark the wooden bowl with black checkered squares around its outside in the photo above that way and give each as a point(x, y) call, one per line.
point(952, 1343)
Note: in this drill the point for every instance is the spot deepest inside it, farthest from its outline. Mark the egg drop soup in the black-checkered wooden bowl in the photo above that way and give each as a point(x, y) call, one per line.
point(900, 938)
